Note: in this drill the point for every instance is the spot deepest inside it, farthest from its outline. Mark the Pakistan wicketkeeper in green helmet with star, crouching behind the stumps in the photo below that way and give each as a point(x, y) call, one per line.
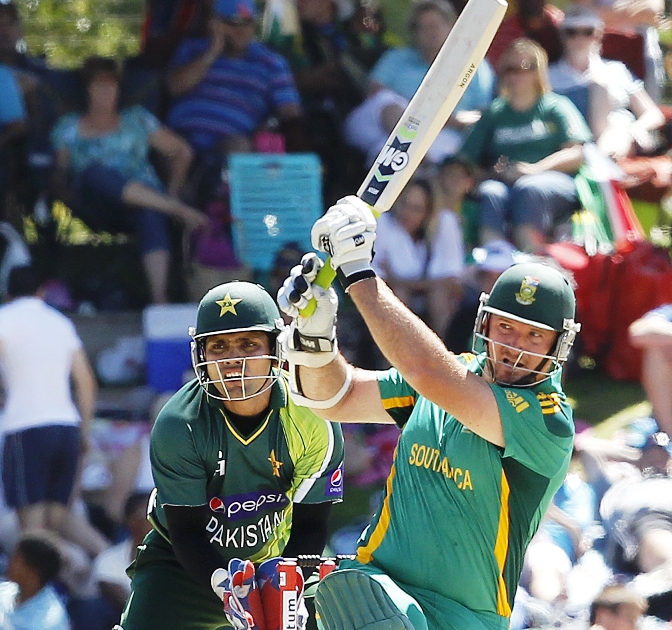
point(243, 475)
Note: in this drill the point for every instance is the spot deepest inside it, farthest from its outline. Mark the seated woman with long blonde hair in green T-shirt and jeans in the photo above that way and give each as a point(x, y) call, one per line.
point(530, 142)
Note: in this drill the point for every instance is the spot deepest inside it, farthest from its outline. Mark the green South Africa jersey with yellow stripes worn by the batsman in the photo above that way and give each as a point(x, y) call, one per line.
point(458, 511)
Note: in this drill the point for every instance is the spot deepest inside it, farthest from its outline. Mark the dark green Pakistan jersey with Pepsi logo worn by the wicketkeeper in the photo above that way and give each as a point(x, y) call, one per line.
point(249, 482)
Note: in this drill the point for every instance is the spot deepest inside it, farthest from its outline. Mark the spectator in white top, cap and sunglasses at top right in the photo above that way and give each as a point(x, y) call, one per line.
point(621, 113)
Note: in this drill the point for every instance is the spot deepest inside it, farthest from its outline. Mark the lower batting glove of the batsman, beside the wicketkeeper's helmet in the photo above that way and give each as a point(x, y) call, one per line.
point(309, 341)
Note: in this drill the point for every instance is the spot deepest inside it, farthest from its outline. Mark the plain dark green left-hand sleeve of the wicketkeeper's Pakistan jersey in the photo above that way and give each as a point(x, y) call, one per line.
point(179, 473)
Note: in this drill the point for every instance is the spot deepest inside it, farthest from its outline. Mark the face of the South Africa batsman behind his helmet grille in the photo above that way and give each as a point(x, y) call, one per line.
point(516, 350)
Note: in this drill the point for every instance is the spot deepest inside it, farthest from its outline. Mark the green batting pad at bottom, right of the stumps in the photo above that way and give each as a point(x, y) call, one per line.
point(352, 600)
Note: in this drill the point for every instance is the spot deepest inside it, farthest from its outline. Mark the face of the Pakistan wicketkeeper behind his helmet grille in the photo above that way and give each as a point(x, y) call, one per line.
point(239, 363)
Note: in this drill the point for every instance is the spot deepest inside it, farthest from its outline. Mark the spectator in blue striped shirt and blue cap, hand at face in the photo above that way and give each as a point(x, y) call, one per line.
point(227, 85)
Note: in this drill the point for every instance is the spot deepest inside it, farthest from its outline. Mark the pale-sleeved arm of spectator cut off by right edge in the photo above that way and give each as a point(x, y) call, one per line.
point(652, 333)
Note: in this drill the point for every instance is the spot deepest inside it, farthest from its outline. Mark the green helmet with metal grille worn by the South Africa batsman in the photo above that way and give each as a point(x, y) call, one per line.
point(538, 295)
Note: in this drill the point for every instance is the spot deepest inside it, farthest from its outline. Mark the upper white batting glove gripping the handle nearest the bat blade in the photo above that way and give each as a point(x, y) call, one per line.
point(347, 232)
